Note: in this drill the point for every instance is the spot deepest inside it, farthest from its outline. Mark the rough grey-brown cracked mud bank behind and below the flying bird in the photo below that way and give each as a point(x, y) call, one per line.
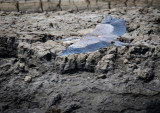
point(33, 78)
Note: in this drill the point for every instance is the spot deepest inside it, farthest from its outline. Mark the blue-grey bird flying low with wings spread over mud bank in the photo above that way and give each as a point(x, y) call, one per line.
point(103, 35)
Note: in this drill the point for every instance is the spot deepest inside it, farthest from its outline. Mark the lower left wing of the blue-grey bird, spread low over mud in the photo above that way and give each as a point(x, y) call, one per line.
point(88, 43)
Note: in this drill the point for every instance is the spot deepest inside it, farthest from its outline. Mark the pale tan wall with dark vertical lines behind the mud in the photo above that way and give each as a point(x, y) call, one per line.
point(63, 5)
